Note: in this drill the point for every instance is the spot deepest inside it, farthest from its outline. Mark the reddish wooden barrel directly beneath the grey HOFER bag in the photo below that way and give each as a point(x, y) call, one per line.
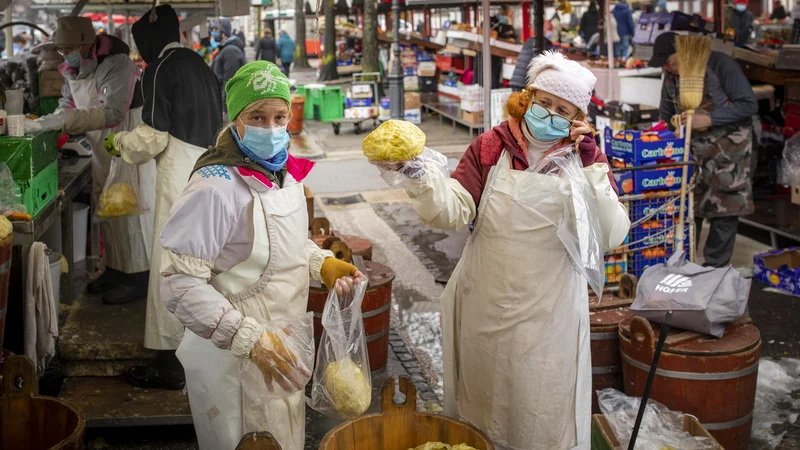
point(713, 379)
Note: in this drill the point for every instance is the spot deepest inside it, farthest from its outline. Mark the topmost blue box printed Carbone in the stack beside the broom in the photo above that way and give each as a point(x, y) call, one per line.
point(638, 146)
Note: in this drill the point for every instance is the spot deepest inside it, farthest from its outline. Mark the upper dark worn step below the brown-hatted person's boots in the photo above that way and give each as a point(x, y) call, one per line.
point(103, 340)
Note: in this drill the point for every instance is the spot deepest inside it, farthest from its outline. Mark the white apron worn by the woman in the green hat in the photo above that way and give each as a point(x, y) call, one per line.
point(272, 283)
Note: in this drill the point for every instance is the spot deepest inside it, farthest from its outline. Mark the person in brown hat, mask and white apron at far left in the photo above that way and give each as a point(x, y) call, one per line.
point(101, 96)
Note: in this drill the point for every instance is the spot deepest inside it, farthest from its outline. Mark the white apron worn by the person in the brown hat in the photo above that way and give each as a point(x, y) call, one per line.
point(128, 240)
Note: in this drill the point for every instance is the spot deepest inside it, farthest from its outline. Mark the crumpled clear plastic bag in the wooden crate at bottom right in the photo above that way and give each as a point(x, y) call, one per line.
point(661, 428)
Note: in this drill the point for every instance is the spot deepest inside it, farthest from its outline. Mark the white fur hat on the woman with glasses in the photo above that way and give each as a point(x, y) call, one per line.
point(552, 72)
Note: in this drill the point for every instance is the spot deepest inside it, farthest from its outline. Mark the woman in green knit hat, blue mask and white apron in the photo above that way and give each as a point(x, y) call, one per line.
point(236, 267)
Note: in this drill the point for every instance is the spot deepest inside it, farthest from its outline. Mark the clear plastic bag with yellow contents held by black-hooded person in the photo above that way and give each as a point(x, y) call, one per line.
point(122, 194)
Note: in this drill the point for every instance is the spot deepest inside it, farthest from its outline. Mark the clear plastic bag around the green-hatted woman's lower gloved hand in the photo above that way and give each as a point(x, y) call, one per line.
point(282, 360)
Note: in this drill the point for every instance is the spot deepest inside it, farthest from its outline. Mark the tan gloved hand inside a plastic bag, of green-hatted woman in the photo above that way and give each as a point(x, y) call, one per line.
point(277, 363)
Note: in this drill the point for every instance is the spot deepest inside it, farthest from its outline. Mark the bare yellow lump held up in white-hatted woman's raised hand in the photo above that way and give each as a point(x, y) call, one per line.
point(394, 140)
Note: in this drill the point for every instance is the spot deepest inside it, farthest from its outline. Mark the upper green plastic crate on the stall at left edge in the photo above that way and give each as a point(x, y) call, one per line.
point(28, 155)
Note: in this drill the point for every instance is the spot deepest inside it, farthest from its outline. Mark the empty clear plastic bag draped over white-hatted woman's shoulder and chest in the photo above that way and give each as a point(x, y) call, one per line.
point(578, 226)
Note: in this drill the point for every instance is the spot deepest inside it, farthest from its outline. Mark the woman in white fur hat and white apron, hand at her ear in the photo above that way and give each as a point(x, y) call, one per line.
point(515, 313)
